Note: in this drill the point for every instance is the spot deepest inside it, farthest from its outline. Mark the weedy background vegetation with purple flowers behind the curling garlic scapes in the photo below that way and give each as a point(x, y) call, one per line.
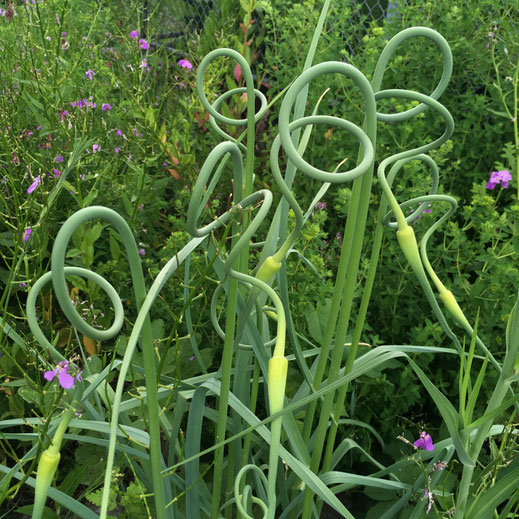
point(93, 115)
